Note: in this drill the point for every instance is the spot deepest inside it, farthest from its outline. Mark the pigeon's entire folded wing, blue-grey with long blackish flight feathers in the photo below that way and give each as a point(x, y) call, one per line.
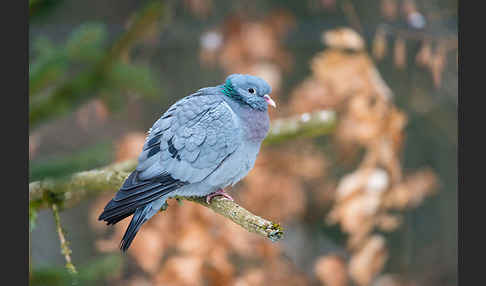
point(184, 146)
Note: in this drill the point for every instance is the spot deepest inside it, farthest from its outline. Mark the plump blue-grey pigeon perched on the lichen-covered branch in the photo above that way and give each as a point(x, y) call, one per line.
point(202, 144)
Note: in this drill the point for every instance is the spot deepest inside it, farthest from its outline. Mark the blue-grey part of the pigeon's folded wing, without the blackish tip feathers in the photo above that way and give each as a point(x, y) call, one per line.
point(190, 140)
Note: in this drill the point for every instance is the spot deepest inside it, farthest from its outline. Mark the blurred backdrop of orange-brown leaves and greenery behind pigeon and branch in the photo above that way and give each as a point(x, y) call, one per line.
point(372, 203)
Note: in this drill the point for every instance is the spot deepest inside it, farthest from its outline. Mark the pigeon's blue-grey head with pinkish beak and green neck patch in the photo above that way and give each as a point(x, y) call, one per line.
point(249, 90)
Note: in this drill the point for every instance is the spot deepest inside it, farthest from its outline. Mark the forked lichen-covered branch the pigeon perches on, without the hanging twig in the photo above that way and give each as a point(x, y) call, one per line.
point(70, 191)
